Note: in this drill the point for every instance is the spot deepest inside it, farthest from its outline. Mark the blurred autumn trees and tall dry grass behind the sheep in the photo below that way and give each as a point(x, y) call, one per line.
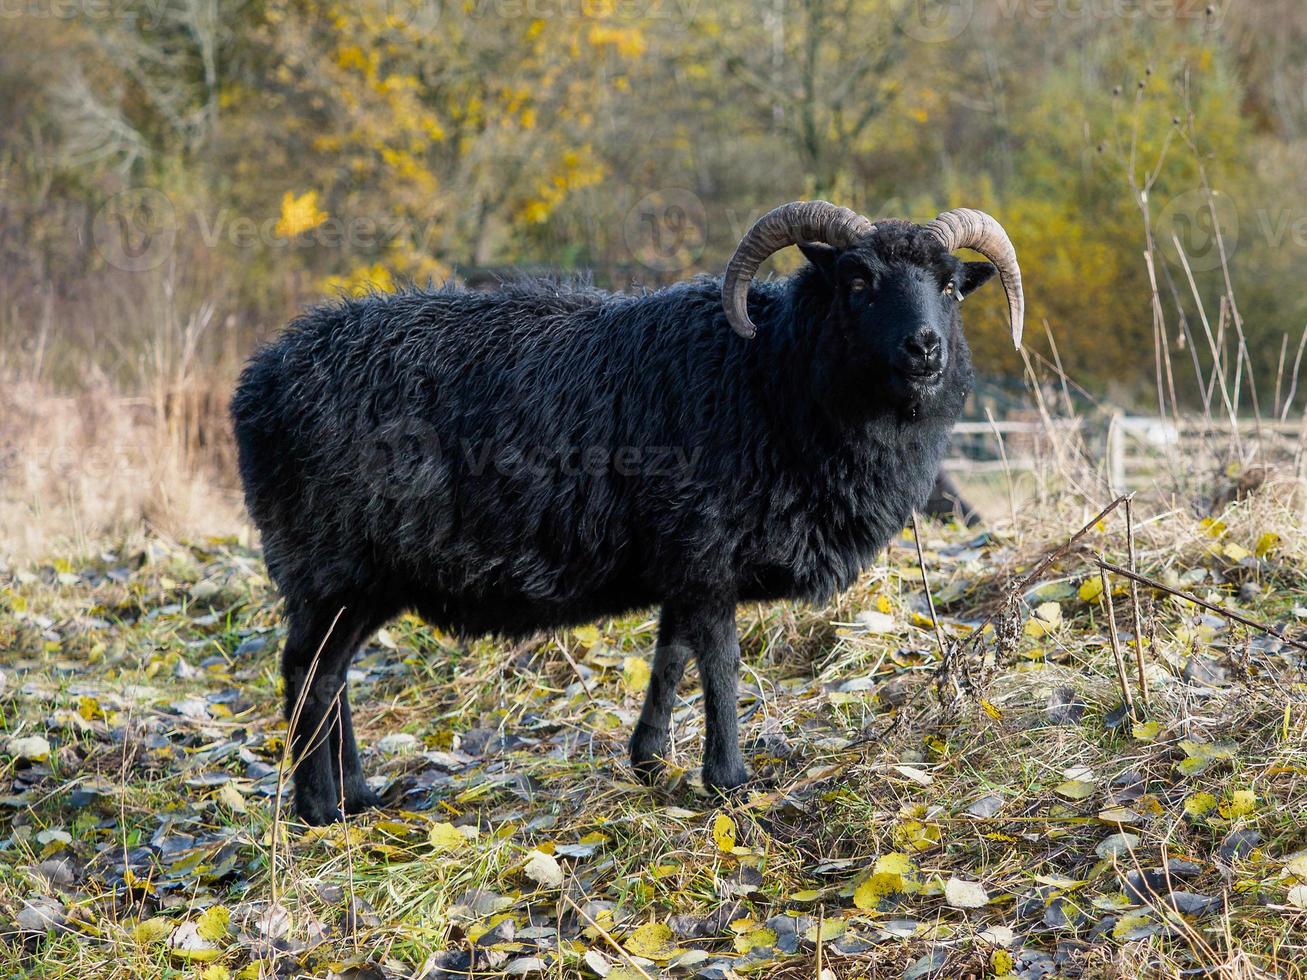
point(178, 178)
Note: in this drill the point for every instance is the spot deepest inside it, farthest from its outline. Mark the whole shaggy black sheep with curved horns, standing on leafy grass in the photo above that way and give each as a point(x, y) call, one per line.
point(551, 454)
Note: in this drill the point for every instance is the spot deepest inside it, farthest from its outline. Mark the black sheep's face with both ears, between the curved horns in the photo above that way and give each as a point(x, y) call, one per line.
point(896, 301)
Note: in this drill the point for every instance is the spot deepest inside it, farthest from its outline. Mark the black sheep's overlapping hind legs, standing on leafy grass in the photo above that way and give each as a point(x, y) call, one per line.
point(320, 646)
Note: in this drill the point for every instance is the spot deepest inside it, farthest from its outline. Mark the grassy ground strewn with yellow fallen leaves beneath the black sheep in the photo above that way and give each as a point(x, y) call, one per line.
point(905, 821)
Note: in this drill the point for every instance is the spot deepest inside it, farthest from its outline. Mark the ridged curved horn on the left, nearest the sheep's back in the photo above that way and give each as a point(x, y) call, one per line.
point(787, 225)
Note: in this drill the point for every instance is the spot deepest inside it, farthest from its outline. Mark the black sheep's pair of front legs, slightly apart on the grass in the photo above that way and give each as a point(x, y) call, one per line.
point(709, 632)
